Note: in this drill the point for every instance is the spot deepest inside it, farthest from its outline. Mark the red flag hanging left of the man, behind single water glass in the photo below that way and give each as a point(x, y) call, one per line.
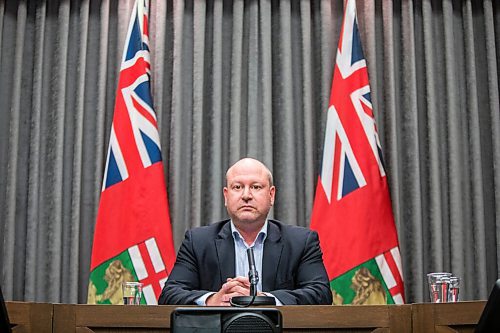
point(133, 237)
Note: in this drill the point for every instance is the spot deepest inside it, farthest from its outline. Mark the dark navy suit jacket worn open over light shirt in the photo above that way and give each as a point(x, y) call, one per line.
point(292, 265)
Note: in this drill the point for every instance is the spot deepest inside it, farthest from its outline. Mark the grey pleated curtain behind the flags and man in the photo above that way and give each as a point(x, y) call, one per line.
point(248, 78)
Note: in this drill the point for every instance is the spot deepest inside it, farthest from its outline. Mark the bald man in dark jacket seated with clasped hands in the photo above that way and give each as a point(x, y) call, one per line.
point(211, 265)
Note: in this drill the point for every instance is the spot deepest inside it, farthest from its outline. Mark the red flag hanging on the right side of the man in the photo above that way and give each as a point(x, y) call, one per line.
point(352, 210)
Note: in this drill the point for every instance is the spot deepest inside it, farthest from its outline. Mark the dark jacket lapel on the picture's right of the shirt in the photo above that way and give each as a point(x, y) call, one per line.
point(273, 247)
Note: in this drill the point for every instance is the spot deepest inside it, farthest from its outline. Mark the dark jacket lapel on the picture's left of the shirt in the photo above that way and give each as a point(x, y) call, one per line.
point(224, 244)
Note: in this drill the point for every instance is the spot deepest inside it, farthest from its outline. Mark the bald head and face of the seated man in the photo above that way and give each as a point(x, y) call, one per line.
point(248, 195)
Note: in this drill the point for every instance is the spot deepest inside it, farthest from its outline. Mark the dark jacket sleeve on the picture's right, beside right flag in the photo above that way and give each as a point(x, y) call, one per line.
point(311, 285)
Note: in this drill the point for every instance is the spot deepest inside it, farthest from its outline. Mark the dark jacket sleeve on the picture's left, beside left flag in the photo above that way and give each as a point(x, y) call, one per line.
point(183, 284)
